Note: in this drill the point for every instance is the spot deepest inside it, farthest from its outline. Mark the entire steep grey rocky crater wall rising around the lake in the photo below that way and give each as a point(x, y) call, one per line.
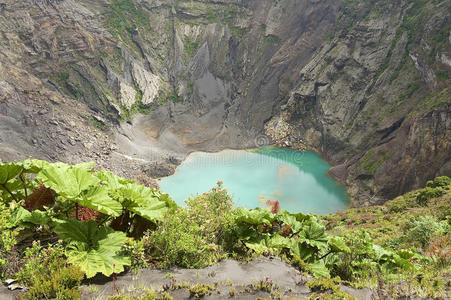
point(365, 83)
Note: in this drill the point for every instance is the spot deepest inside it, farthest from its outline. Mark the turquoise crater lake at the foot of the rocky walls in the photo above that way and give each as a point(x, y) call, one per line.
point(299, 180)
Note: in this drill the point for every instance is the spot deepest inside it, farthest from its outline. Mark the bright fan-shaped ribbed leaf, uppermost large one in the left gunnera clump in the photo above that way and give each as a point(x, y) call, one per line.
point(67, 181)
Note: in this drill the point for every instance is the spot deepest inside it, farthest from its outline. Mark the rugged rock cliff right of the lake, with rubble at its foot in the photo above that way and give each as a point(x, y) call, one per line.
point(375, 98)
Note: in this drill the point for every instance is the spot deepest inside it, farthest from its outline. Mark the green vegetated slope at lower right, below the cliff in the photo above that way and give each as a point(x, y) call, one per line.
point(415, 225)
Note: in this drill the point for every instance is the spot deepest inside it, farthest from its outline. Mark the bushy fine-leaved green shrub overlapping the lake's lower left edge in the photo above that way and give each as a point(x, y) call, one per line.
point(192, 237)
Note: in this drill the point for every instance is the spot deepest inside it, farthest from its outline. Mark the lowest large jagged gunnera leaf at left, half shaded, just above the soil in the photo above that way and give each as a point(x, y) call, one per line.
point(94, 250)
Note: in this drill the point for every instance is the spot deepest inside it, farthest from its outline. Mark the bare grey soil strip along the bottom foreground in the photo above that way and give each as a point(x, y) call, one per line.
point(231, 279)
